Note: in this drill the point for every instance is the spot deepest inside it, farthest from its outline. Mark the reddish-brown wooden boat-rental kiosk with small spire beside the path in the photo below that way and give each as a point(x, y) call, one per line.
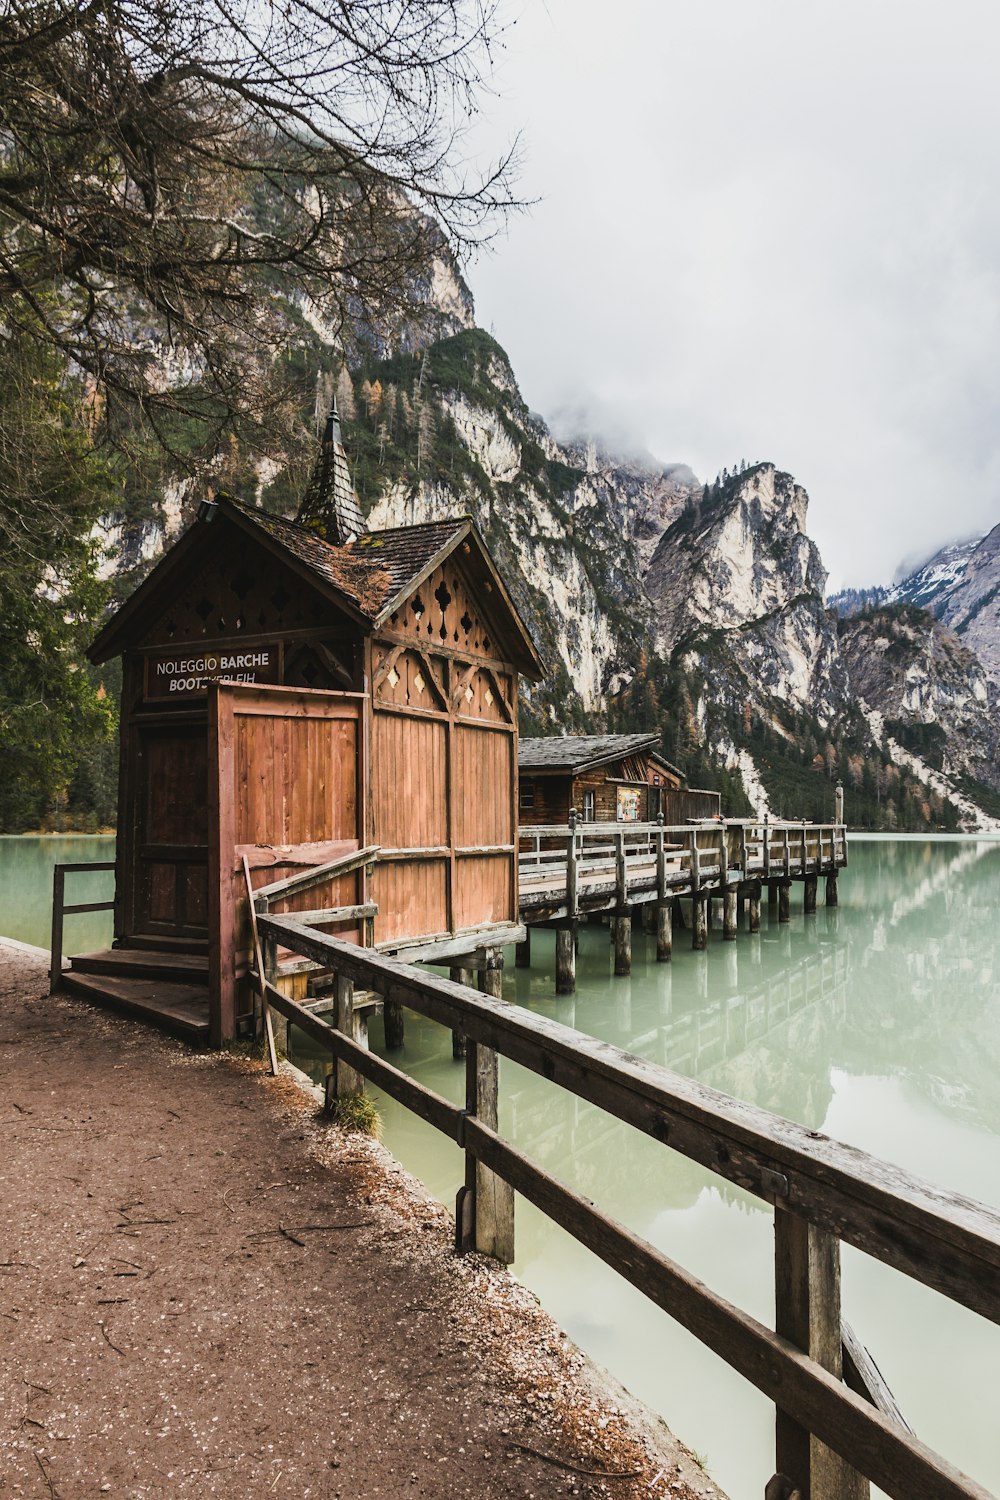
point(293, 700)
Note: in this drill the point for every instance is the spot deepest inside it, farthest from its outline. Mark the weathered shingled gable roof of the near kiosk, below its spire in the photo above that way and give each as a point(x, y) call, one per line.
point(370, 578)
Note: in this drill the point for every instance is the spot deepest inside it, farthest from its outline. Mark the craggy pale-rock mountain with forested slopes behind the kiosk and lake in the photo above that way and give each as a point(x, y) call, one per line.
point(657, 602)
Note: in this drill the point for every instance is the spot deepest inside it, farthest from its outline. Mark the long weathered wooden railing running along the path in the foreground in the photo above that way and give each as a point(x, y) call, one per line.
point(822, 1192)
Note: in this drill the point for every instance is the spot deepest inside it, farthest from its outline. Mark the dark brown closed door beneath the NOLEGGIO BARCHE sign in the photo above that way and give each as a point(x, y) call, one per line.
point(170, 877)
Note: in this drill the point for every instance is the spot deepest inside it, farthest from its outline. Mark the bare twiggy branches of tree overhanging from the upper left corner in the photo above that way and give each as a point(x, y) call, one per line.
point(167, 166)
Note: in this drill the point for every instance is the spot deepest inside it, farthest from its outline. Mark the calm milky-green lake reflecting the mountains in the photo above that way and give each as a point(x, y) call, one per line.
point(878, 1022)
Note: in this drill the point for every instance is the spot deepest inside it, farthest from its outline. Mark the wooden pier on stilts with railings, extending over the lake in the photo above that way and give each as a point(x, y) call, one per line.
point(576, 872)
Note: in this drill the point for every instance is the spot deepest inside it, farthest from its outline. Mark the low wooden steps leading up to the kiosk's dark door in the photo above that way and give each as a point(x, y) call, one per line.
point(167, 989)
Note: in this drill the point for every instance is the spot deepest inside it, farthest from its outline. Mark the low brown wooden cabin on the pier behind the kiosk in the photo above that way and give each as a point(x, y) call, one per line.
point(608, 779)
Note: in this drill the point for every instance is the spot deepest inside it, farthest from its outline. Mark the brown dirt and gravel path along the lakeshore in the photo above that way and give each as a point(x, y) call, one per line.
point(208, 1291)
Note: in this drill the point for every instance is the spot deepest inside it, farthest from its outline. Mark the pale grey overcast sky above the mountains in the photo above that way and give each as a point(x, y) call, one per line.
point(767, 230)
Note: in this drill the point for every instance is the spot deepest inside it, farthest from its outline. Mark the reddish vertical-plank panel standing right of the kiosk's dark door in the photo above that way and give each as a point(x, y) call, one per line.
point(287, 787)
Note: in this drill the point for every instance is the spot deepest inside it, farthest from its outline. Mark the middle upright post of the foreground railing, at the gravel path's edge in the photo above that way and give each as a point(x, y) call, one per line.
point(485, 1211)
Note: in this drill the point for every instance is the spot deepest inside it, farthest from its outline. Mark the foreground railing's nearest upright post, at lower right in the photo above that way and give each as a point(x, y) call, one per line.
point(809, 1315)
